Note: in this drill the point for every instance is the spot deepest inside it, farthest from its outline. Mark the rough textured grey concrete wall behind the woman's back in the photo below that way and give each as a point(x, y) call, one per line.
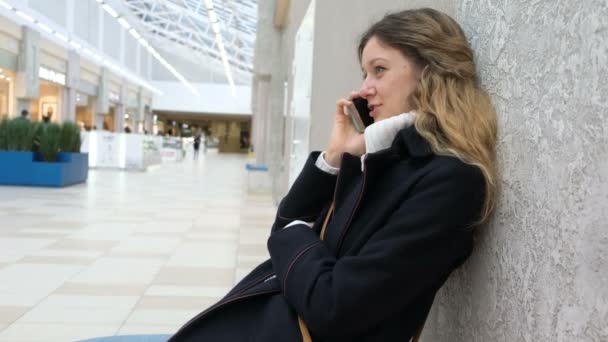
point(540, 269)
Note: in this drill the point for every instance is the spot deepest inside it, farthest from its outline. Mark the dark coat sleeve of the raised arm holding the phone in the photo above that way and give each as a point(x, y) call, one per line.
point(308, 196)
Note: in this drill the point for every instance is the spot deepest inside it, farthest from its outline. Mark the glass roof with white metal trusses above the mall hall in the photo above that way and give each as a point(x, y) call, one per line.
point(183, 27)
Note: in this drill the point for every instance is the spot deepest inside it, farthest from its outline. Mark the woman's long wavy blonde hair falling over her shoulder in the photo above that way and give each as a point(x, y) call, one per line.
point(454, 114)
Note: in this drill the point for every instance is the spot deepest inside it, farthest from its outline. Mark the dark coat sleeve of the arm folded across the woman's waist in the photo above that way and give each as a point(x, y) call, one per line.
point(412, 253)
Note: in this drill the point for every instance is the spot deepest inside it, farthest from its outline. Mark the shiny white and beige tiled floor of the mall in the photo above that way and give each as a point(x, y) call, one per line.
point(128, 252)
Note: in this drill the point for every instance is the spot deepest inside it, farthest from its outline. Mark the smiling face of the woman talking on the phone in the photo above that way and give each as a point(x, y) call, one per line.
point(389, 80)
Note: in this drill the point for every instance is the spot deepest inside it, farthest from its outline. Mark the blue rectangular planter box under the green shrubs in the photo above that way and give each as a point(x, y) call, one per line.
point(26, 168)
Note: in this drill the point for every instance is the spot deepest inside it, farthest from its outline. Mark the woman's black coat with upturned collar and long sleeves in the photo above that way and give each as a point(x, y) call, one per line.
point(398, 230)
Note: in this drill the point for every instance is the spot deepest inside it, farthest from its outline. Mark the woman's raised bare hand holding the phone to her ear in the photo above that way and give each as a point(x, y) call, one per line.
point(344, 137)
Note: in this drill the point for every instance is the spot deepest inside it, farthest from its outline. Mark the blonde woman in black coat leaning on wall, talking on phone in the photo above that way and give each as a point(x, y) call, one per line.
point(375, 224)
